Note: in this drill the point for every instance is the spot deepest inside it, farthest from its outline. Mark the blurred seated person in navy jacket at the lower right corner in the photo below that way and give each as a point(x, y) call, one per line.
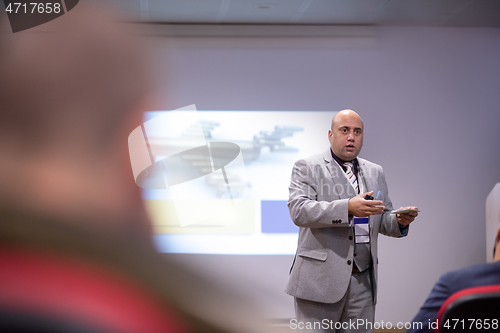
point(452, 282)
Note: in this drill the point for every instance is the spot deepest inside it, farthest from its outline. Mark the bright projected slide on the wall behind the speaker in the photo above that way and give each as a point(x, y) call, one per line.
point(217, 181)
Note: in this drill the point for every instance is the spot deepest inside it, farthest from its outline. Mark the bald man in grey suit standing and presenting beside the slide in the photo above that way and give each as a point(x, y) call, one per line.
point(334, 275)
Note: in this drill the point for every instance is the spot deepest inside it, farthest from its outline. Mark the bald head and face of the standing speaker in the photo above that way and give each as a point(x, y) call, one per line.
point(346, 136)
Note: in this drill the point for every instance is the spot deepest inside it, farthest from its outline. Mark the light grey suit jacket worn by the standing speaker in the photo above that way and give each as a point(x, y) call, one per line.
point(319, 195)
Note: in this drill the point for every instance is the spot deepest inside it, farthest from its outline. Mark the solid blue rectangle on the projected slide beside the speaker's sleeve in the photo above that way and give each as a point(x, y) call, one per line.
point(275, 218)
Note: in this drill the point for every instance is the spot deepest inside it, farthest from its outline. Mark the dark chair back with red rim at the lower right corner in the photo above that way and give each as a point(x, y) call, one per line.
point(474, 309)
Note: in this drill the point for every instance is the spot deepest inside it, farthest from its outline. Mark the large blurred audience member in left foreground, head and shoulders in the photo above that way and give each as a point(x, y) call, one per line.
point(71, 91)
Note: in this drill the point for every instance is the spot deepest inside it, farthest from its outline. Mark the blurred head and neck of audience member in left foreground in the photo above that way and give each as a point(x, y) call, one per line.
point(71, 90)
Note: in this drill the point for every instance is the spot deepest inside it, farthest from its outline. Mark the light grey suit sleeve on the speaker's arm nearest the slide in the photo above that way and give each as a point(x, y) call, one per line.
point(305, 209)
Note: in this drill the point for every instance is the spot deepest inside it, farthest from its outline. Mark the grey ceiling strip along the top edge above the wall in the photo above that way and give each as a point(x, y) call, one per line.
point(468, 13)
